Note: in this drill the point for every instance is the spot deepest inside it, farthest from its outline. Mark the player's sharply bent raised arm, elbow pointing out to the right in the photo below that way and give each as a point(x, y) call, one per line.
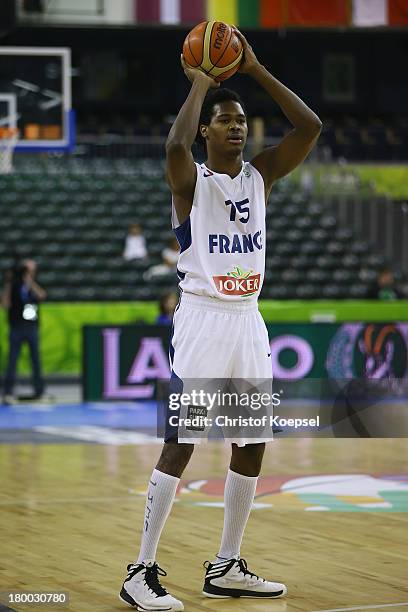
point(275, 162)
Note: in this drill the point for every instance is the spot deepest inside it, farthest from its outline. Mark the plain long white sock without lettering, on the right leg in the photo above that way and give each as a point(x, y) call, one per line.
point(239, 495)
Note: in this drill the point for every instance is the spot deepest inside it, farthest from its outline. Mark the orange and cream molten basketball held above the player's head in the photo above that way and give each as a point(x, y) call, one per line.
point(213, 47)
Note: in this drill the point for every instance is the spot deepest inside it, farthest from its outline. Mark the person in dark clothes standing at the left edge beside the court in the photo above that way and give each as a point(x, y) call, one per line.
point(21, 297)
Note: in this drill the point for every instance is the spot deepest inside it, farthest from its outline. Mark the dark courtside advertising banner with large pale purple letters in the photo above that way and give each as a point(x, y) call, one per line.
point(125, 362)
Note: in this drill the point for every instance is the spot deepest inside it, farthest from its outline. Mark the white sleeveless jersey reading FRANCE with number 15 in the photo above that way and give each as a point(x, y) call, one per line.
point(222, 242)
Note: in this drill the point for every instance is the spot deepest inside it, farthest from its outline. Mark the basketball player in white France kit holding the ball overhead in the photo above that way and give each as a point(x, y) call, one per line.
point(219, 220)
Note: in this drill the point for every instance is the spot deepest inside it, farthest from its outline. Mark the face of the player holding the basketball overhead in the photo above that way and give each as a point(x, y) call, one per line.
point(228, 129)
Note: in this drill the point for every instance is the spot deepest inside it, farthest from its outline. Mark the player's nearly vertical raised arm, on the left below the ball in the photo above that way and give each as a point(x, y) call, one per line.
point(180, 167)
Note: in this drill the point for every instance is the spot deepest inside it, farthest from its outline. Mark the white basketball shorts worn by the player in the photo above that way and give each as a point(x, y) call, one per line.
point(214, 339)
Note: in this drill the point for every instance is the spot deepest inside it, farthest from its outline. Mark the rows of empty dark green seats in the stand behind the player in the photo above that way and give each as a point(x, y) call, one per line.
point(74, 219)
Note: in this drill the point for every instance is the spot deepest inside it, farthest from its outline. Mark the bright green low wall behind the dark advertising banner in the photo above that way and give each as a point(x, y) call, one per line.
point(61, 324)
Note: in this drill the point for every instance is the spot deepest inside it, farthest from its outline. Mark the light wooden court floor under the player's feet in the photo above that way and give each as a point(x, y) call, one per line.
point(330, 521)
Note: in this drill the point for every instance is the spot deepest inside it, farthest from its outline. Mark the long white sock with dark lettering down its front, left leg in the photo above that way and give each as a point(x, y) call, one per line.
point(160, 497)
